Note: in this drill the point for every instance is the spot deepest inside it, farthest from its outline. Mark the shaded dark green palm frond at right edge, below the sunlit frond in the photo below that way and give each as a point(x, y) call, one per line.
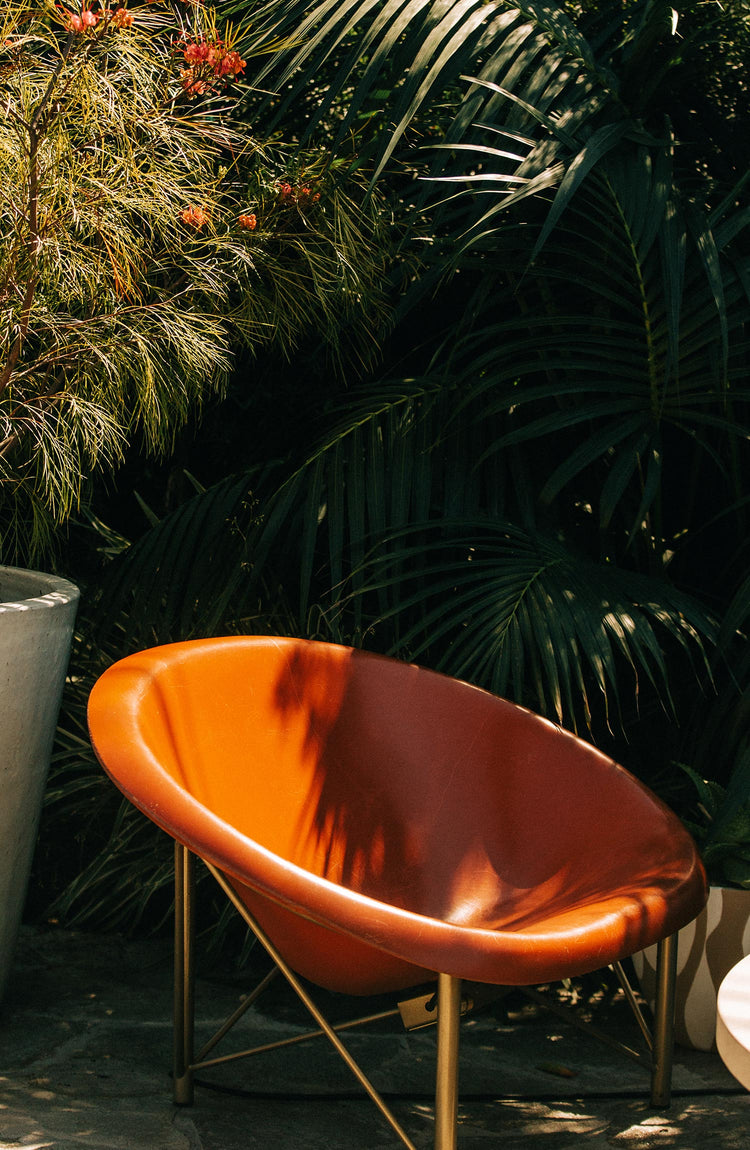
point(655, 342)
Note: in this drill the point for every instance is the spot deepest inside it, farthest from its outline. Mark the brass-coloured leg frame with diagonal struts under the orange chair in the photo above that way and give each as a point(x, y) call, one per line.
point(660, 1041)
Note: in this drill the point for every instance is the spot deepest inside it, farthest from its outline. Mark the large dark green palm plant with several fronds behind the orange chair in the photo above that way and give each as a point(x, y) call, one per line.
point(590, 398)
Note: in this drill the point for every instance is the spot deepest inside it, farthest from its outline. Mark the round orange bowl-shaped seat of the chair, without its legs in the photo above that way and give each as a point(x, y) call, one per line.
point(333, 780)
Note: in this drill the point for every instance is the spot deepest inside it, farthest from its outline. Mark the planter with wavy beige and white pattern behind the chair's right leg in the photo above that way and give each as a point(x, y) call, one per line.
point(707, 952)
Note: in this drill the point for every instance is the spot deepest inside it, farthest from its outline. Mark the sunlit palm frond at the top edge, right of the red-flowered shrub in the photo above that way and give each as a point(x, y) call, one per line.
point(418, 51)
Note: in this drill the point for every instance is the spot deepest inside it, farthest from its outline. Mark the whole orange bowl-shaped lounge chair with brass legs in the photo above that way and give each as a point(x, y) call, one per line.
point(378, 825)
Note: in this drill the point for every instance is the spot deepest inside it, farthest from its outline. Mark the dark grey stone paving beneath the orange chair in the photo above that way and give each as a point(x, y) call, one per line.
point(86, 1057)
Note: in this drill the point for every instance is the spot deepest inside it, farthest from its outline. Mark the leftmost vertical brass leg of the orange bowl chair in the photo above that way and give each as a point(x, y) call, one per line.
point(185, 978)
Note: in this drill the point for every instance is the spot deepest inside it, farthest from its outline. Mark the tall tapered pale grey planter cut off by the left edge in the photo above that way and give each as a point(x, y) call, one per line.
point(37, 615)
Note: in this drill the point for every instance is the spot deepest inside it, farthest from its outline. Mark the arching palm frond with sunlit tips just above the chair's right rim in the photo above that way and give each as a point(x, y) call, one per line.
point(525, 616)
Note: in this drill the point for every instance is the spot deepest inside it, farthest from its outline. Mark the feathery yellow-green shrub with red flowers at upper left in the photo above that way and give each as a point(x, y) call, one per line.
point(141, 243)
